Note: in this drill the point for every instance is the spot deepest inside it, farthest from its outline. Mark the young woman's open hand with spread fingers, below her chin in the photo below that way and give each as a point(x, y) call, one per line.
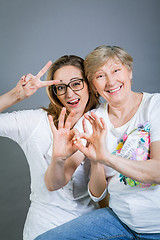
point(63, 146)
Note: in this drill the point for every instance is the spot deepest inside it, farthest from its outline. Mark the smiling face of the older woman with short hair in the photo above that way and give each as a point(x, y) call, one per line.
point(113, 81)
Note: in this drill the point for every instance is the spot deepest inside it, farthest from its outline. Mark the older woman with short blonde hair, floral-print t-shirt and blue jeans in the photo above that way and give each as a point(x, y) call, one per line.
point(126, 138)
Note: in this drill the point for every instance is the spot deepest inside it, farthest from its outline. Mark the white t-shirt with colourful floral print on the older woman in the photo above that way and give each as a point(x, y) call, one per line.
point(136, 204)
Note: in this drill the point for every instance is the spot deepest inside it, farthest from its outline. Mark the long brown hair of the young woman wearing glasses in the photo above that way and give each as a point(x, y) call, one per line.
point(55, 105)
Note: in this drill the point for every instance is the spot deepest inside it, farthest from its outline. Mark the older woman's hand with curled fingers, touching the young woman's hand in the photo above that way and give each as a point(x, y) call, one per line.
point(95, 148)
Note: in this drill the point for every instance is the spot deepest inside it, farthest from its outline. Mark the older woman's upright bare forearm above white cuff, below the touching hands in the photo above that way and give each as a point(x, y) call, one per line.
point(97, 183)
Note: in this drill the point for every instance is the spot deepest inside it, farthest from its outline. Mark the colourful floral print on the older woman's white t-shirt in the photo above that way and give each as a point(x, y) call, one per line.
point(135, 146)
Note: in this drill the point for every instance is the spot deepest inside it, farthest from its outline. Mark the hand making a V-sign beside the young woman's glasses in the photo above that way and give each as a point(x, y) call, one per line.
point(29, 83)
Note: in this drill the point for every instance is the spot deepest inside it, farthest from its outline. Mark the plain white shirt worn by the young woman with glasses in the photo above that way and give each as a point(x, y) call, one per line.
point(31, 130)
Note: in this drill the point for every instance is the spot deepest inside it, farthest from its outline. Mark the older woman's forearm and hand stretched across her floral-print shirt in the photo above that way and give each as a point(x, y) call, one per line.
point(144, 171)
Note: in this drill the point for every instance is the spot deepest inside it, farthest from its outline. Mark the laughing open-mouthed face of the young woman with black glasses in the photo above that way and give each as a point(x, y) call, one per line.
point(72, 100)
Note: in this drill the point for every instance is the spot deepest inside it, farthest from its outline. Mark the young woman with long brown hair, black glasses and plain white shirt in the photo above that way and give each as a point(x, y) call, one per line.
point(66, 87)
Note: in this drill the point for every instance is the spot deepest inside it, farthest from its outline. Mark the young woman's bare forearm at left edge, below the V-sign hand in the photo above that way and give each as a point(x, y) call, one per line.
point(8, 99)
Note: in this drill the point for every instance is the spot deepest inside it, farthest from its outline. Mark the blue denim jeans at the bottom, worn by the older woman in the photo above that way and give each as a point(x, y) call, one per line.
point(100, 224)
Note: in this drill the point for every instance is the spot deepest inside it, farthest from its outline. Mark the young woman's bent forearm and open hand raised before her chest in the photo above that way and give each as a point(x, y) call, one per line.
point(65, 159)
